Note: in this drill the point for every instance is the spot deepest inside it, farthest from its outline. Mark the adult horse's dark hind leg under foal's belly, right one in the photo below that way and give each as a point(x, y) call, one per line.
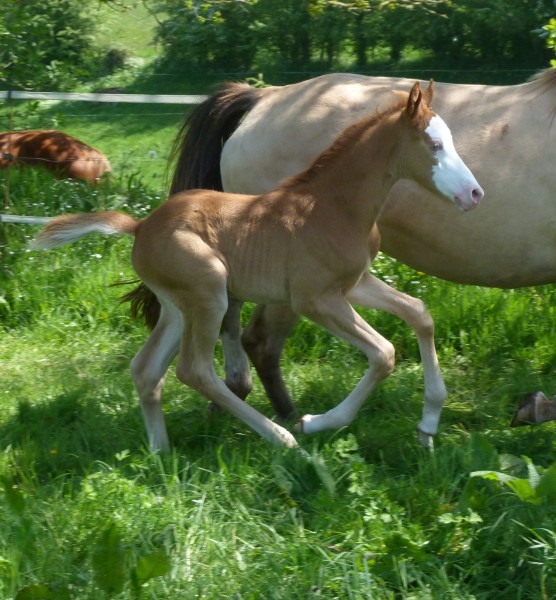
point(264, 339)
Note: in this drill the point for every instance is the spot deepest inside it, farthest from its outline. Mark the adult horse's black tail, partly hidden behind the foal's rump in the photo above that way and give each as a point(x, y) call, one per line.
point(196, 152)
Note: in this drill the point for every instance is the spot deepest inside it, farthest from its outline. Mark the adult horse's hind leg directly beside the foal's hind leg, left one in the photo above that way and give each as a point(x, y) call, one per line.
point(238, 373)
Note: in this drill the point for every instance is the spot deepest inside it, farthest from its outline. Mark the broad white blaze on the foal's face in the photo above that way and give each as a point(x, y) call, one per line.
point(450, 174)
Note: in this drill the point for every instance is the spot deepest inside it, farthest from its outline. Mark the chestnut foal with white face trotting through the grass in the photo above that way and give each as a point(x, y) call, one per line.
point(305, 245)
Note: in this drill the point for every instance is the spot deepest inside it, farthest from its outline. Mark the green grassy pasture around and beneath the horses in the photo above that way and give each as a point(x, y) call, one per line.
point(86, 512)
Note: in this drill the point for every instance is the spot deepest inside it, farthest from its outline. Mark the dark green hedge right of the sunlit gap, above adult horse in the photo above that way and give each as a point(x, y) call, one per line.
point(295, 34)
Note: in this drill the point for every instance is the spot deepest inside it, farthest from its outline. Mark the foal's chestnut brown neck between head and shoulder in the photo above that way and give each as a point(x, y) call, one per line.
point(353, 176)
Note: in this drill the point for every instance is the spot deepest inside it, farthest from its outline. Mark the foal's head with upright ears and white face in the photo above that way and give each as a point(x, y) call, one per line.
point(448, 174)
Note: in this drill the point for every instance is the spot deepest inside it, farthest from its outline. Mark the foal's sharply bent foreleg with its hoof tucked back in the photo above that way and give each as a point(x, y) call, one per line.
point(333, 311)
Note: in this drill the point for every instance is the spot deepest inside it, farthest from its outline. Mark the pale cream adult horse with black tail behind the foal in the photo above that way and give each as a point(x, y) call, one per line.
point(506, 134)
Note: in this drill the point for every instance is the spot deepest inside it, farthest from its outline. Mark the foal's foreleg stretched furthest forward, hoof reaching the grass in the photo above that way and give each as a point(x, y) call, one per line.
point(374, 293)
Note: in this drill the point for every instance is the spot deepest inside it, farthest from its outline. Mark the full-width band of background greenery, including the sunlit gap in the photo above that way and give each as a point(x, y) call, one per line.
point(60, 44)
